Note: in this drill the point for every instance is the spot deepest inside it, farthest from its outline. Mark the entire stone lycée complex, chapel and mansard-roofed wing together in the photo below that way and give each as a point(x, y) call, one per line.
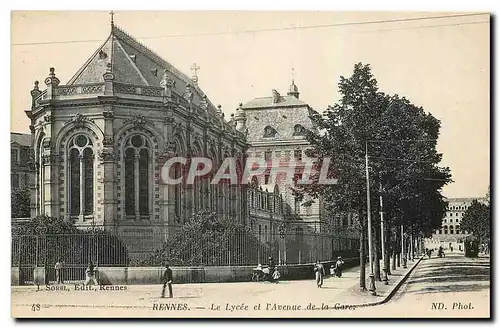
point(101, 139)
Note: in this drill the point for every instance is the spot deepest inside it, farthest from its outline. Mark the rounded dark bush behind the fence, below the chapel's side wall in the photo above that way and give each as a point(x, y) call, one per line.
point(207, 239)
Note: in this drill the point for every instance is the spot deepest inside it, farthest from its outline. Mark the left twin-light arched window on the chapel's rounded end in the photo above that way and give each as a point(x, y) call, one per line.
point(81, 176)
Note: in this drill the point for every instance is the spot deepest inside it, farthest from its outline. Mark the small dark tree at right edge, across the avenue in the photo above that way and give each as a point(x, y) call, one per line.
point(477, 219)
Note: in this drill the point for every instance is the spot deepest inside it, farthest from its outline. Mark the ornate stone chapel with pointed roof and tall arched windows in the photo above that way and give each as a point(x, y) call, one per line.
point(100, 141)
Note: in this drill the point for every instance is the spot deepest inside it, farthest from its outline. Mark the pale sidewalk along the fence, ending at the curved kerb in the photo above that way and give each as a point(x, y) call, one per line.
point(136, 299)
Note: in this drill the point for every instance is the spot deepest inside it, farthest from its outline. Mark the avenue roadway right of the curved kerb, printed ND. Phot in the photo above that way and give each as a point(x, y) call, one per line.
point(461, 284)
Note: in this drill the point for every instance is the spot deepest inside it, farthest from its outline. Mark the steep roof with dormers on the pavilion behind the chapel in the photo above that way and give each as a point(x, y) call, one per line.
point(282, 116)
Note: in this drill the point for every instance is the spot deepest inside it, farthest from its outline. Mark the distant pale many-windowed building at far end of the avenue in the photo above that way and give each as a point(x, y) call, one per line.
point(450, 234)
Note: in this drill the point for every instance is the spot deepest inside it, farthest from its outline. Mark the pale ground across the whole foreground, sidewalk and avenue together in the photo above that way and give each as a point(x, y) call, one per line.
point(453, 279)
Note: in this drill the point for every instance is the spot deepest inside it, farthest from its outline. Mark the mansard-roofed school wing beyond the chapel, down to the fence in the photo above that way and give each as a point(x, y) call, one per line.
point(277, 126)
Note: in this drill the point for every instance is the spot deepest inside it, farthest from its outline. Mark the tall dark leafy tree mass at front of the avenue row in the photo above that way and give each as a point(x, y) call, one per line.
point(393, 132)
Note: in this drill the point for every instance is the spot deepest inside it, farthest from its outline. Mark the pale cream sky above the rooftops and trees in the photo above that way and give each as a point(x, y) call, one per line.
point(441, 64)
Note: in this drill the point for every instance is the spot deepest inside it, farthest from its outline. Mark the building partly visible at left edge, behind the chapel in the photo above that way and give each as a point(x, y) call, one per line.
point(20, 171)
